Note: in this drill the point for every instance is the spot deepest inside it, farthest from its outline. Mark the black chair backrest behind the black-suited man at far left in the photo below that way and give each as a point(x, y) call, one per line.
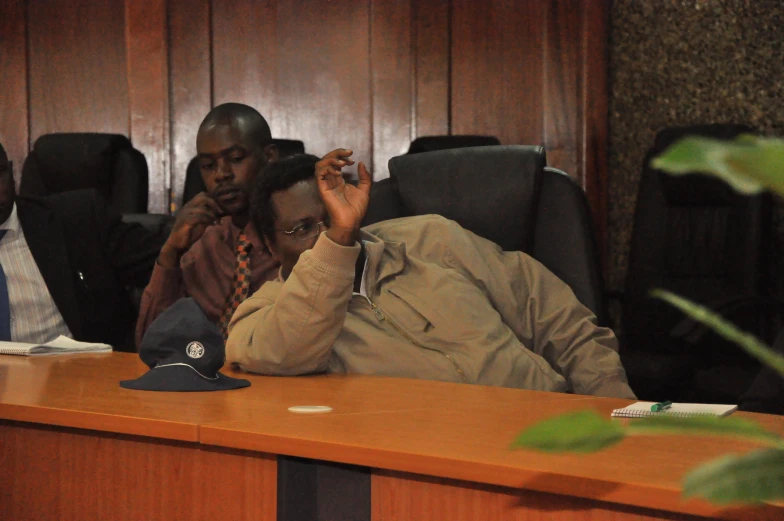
point(73, 161)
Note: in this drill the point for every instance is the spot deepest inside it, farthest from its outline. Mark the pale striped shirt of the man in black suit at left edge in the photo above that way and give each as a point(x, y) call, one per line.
point(34, 315)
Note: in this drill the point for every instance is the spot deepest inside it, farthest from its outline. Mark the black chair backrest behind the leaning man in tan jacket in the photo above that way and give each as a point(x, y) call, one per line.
point(505, 194)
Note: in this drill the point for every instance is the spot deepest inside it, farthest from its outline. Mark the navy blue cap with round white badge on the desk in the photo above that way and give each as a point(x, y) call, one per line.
point(184, 351)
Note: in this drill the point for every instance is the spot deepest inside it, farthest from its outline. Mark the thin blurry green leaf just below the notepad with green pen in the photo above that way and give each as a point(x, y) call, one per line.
point(703, 425)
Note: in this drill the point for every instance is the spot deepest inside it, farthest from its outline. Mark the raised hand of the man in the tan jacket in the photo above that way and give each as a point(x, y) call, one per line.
point(345, 203)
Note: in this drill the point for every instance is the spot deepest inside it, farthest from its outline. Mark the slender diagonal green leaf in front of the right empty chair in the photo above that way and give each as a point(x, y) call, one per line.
point(747, 341)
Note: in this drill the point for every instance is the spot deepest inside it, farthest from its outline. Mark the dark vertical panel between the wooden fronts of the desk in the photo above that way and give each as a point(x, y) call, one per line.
point(310, 490)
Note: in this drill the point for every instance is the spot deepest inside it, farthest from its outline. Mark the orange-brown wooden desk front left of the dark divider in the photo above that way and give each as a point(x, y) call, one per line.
point(80, 475)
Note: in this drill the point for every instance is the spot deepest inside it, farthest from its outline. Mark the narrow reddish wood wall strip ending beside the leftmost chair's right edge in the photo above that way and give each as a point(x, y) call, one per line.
point(146, 31)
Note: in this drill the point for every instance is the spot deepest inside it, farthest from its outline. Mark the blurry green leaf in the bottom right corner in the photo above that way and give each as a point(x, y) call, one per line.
point(751, 478)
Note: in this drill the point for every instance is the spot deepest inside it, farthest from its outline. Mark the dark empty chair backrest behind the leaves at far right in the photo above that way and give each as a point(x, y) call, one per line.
point(695, 236)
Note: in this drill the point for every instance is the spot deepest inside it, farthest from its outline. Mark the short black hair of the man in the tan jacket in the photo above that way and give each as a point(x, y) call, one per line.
point(276, 177)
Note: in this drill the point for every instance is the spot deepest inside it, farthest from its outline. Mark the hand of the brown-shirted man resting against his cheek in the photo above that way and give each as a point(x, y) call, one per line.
point(192, 219)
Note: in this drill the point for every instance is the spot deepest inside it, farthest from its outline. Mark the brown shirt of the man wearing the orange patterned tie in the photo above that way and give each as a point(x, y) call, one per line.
point(205, 274)
